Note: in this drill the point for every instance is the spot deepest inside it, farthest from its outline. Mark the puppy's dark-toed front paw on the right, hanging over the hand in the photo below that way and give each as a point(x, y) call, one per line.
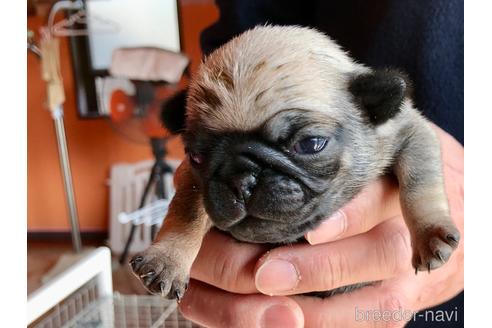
point(434, 245)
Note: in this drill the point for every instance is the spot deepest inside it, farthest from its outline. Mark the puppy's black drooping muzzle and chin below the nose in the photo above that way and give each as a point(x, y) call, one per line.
point(279, 209)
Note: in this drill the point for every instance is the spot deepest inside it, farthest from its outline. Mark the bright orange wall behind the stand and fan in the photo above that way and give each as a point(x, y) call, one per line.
point(93, 146)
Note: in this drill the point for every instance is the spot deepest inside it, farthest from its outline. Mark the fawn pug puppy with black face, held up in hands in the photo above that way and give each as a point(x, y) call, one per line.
point(282, 129)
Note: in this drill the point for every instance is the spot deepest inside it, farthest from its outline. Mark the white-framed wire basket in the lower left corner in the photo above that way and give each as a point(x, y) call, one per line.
point(82, 297)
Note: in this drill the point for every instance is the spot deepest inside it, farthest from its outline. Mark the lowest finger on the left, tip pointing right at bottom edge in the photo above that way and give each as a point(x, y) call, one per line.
point(212, 307)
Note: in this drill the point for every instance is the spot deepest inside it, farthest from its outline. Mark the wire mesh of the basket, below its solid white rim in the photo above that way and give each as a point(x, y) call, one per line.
point(84, 309)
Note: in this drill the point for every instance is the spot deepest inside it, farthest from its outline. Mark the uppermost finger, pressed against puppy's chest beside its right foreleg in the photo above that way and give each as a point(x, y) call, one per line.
point(375, 203)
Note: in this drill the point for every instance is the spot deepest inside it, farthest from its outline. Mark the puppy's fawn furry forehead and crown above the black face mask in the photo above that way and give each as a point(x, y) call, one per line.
point(265, 70)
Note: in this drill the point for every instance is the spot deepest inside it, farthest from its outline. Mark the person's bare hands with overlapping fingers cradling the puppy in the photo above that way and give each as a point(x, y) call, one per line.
point(366, 241)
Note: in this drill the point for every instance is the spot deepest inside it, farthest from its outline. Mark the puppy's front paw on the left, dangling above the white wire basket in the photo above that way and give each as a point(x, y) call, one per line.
point(161, 272)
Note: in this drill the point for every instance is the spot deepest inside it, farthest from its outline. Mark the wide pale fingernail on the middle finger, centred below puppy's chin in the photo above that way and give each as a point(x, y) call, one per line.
point(276, 276)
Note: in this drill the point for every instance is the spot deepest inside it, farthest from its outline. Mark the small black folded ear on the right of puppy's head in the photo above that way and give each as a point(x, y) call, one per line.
point(380, 93)
